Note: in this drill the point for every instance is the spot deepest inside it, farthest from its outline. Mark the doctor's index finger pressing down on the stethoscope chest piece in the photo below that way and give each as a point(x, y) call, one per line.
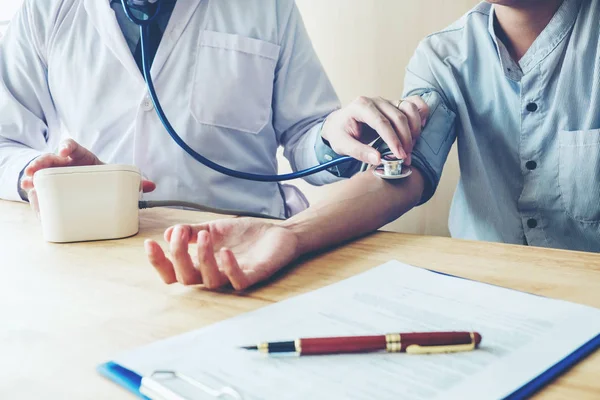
point(367, 110)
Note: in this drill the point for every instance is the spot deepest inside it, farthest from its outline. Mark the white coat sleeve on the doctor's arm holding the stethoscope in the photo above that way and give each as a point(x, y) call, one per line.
point(303, 95)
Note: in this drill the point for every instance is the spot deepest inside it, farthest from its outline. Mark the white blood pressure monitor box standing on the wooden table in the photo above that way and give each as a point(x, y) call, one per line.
point(97, 202)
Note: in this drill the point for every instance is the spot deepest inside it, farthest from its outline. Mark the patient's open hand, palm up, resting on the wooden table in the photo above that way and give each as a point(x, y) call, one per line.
point(239, 252)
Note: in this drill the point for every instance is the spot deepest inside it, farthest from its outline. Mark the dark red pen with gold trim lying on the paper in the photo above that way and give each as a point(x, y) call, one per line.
point(412, 343)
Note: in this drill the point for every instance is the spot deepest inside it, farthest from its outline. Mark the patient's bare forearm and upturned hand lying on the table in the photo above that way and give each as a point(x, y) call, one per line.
point(245, 251)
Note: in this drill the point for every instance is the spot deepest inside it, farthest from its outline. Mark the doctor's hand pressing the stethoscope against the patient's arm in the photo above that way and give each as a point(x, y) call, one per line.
point(350, 129)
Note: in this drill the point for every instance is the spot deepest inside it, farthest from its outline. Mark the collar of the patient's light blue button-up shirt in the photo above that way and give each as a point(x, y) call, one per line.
point(558, 27)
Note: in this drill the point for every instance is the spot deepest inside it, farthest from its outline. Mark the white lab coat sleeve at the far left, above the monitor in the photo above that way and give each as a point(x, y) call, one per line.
point(26, 108)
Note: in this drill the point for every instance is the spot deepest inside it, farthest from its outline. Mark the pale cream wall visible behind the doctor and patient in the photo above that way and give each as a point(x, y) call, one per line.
point(364, 46)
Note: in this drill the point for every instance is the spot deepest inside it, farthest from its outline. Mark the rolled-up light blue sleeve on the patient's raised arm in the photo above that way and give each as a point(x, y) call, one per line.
point(432, 148)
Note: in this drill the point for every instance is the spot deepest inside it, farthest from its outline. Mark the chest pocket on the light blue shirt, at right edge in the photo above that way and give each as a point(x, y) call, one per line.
point(579, 174)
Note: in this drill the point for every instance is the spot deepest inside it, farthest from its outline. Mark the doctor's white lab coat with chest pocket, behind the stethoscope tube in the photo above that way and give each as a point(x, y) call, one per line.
point(237, 78)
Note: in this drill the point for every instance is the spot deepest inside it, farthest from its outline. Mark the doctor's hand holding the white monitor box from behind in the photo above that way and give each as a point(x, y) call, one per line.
point(70, 154)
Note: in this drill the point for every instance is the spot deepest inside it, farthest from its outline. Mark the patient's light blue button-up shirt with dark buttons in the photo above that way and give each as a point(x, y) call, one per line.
point(527, 132)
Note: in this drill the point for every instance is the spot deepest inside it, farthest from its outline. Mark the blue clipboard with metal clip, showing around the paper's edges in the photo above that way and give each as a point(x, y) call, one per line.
point(156, 386)
